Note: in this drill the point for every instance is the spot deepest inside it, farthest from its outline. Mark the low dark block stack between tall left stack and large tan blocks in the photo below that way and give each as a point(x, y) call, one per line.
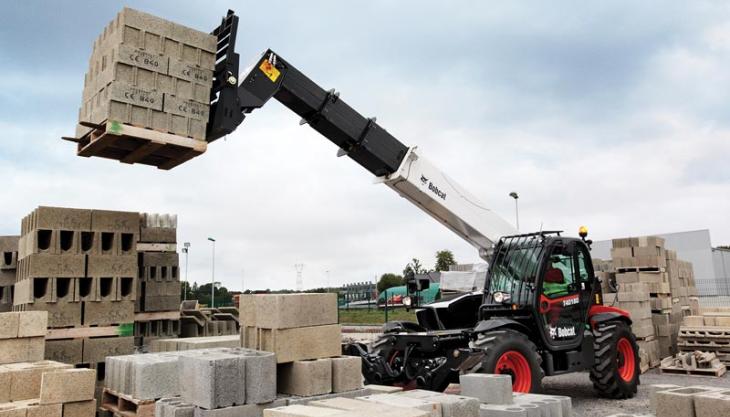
point(199, 322)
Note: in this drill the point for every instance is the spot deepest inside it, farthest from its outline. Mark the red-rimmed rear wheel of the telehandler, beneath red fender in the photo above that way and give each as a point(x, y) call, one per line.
point(609, 374)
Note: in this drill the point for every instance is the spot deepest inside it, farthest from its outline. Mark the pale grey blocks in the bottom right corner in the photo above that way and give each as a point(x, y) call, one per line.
point(692, 401)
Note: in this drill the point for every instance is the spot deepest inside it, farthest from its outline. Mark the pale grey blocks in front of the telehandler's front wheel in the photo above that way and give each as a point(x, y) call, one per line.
point(494, 392)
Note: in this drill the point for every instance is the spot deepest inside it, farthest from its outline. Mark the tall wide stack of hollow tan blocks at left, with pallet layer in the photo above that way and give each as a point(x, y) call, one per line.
point(81, 267)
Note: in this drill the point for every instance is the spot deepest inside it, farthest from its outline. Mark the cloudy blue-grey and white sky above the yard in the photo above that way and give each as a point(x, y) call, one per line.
point(614, 115)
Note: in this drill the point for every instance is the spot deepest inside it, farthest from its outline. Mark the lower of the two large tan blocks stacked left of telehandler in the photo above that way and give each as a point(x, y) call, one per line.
point(302, 343)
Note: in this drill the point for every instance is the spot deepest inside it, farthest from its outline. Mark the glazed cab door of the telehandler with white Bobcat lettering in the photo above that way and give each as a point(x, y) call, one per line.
point(560, 307)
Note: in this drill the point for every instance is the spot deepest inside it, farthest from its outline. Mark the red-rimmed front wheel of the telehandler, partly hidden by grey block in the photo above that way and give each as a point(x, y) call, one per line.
point(500, 344)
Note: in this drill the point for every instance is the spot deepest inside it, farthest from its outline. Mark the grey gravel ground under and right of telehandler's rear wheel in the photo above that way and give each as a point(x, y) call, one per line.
point(586, 404)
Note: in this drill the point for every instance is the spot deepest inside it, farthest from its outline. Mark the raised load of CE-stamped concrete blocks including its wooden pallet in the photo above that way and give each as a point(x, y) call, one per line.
point(146, 96)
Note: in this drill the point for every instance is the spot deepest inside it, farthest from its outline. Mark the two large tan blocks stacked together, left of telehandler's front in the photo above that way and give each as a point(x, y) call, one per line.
point(293, 326)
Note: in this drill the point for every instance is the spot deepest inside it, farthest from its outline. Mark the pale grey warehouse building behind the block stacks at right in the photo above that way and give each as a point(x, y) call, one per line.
point(711, 265)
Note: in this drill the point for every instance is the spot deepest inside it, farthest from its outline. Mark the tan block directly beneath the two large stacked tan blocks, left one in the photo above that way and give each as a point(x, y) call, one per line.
point(305, 378)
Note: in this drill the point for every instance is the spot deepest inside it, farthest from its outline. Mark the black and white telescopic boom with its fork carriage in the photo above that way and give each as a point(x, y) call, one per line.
point(396, 165)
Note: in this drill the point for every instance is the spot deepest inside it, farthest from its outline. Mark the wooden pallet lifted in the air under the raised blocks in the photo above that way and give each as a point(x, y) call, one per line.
point(136, 145)
